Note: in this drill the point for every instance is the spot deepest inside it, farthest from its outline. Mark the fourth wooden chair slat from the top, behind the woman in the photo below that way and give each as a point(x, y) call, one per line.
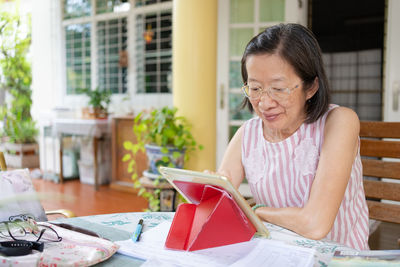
point(382, 190)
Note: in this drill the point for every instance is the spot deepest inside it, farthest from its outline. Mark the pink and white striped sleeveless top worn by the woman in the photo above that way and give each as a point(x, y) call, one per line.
point(281, 175)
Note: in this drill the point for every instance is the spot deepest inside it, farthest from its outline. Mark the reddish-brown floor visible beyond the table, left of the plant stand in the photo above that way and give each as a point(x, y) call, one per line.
point(84, 200)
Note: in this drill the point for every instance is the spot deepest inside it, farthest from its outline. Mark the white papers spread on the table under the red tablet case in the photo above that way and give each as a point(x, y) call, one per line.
point(257, 252)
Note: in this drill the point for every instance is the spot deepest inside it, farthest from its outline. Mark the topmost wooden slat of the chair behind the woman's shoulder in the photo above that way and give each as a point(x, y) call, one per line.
point(380, 129)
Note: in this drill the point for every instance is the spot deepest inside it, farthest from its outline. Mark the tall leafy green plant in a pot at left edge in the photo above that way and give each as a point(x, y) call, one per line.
point(19, 130)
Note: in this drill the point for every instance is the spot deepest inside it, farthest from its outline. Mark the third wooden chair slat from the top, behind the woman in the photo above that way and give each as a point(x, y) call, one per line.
point(381, 169)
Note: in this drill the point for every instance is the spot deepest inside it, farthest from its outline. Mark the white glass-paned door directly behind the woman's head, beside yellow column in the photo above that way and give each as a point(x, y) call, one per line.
point(238, 21)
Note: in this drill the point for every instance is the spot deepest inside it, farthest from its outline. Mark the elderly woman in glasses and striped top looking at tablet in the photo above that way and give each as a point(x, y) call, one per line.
point(300, 154)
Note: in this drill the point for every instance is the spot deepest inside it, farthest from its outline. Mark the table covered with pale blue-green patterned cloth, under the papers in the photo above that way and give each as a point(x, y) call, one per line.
point(119, 226)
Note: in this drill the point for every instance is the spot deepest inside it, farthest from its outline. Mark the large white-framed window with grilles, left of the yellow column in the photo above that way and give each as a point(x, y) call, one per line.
point(97, 45)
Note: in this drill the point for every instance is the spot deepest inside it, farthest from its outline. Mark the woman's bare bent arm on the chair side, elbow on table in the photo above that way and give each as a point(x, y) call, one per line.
point(338, 152)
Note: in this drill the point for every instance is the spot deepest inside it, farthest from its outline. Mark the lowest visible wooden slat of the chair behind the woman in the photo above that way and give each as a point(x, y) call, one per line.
point(384, 211)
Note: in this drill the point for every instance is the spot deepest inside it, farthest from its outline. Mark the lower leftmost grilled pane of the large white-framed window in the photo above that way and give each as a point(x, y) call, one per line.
point(77, 57)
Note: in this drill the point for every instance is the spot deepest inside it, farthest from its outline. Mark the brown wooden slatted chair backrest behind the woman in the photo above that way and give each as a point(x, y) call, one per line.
point(378, 140)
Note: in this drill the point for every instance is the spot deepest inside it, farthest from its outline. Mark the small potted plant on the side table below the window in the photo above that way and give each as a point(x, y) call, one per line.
point(98, 103)
